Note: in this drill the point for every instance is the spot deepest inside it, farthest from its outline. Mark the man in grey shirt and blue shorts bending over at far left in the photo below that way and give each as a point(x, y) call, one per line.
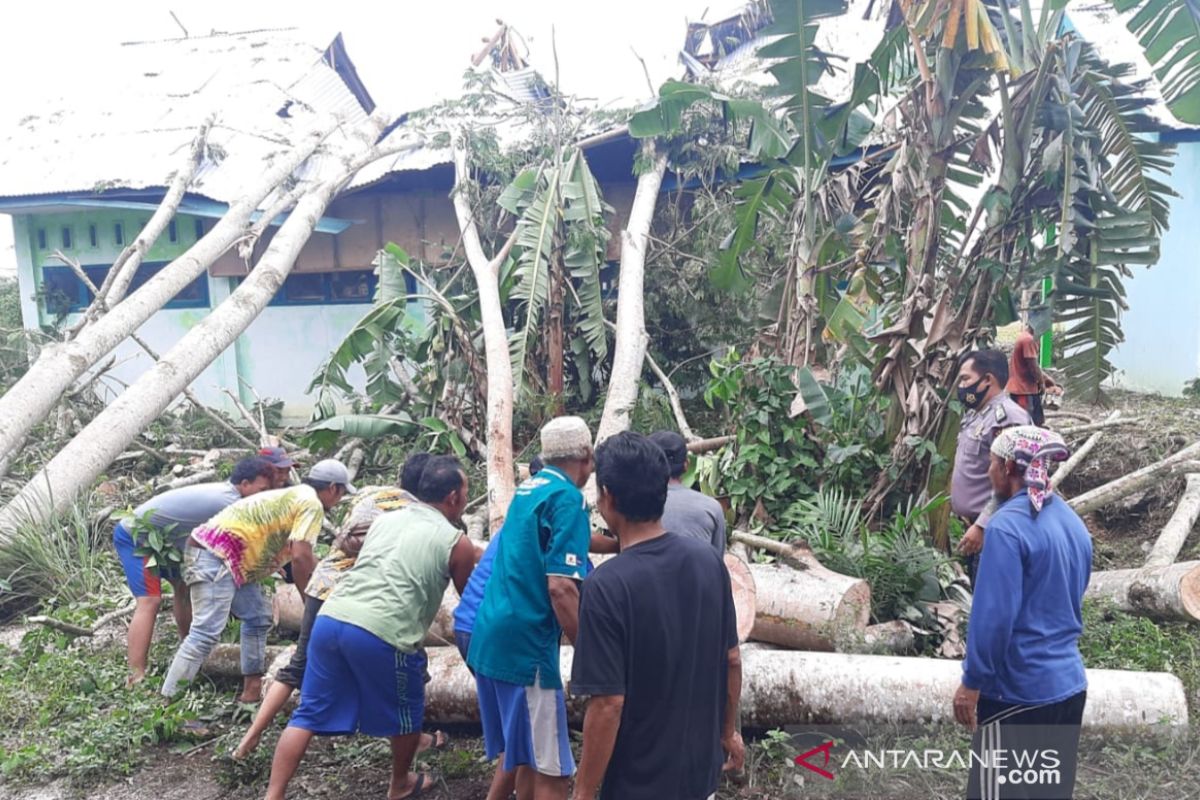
point(175, 515)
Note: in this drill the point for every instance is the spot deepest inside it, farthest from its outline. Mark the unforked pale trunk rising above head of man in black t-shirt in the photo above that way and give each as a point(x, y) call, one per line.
point(629, 345)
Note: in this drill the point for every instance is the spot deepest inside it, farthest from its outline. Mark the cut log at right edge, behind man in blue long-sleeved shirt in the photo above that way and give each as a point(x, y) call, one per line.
point(1171, 592)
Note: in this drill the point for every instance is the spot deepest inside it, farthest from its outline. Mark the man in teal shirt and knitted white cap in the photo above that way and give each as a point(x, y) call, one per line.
point(531, 600)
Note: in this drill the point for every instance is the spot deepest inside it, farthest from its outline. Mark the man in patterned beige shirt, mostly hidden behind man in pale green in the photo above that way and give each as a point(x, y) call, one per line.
point(369, 504)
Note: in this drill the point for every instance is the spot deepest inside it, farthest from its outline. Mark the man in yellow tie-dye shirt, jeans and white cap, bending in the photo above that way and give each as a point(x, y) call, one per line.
point(229, 556)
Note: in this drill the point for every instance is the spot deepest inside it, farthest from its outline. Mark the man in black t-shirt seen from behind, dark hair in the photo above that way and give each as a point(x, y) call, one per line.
point(658, 648)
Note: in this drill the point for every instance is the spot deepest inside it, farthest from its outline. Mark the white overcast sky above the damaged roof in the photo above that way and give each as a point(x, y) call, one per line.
point(410, 55)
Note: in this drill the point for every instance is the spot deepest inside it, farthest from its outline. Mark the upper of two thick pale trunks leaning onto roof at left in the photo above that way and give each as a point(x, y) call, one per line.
point(34, 396)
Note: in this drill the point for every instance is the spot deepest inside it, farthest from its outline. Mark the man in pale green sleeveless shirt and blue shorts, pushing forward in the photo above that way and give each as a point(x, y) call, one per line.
point(367, 671)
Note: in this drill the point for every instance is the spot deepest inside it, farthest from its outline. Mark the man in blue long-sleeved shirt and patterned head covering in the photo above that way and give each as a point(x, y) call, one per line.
point(1024, 687)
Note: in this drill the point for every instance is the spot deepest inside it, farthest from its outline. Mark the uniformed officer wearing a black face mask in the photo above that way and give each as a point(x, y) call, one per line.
point(989, 411)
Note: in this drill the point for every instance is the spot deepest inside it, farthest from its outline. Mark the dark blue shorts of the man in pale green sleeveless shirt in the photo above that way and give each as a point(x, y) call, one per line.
point(357, 683)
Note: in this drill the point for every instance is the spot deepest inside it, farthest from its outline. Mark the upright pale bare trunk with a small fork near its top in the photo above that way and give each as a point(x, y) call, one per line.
point(501, 479)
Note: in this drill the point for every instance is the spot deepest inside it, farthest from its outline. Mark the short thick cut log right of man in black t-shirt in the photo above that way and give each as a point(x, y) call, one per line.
point(809, 610)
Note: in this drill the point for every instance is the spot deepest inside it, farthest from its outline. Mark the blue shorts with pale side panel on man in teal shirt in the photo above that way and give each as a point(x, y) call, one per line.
point(527, 724)
